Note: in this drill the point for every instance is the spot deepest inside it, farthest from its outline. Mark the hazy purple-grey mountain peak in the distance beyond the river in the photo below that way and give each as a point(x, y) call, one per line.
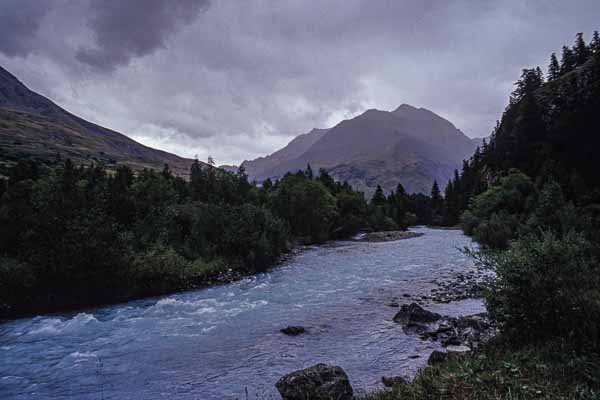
point(408, 145)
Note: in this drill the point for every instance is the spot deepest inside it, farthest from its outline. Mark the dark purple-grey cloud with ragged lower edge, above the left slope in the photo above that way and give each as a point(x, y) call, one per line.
point(134, 28)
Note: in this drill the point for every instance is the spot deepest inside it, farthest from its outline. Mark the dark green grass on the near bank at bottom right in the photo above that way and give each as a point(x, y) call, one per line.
point(497, 372)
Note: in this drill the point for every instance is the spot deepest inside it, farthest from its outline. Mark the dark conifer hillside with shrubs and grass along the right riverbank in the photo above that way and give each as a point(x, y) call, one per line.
point(531, 197)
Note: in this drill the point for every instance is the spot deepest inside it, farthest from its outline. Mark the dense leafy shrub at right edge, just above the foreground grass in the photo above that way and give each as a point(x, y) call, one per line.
point(547, 286)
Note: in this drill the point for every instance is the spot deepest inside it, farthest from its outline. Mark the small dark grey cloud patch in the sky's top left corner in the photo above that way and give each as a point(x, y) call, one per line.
point(19, 21)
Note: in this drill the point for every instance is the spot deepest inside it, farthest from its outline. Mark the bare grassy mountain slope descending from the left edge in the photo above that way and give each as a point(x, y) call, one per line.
point(33, 126)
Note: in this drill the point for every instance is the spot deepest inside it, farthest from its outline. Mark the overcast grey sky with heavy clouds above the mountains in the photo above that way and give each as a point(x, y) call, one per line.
point(237, 79)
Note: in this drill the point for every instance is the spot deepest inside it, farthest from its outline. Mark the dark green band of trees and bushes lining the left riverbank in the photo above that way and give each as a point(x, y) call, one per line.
point(73, 236)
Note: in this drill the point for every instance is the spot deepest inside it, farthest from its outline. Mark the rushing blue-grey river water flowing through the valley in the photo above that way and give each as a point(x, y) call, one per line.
point(224, 342)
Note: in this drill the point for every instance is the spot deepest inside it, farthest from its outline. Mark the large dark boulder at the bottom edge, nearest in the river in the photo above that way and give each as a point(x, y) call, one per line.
point(320, 382)
